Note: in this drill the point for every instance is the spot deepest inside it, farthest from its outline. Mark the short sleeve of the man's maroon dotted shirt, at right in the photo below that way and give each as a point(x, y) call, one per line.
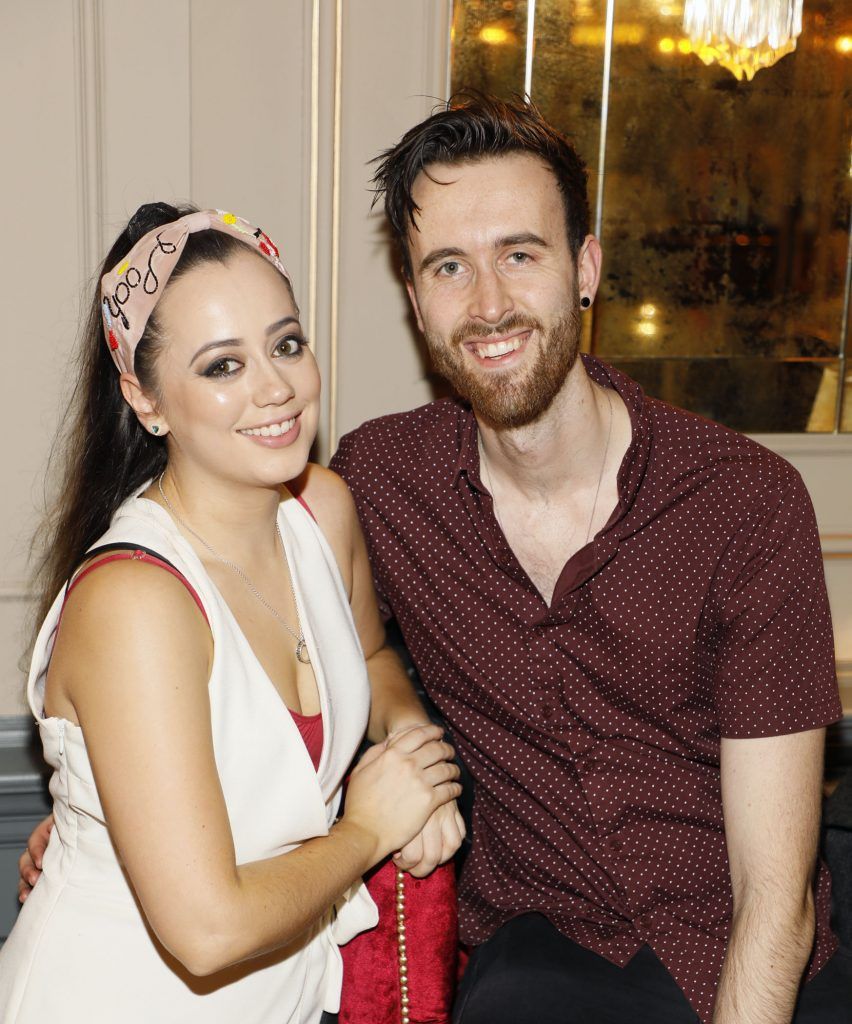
point(776, 671)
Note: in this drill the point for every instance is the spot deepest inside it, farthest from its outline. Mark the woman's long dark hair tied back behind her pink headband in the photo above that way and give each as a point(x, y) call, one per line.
point(107, 454)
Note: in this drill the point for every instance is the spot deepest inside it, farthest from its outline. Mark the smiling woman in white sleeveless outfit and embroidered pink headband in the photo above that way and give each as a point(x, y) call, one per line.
point(195, 872)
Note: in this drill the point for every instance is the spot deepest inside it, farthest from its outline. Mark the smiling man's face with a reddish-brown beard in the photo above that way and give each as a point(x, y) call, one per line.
point(494, 284)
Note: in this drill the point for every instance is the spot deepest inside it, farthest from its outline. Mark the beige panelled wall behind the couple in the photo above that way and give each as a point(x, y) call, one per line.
point(272, 109)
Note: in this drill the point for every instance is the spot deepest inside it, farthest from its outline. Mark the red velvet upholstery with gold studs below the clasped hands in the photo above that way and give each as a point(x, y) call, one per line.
point(404, 971)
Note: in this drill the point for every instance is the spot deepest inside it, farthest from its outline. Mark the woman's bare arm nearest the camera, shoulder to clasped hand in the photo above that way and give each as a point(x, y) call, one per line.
point(134, 659)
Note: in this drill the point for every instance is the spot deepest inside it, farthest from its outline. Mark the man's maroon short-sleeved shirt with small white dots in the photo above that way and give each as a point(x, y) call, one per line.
point(592, 727)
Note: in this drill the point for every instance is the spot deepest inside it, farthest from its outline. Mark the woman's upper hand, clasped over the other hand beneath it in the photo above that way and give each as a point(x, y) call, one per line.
point(399, 786)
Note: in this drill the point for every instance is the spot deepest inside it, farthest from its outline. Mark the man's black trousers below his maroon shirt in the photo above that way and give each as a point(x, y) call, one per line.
point(529, 973)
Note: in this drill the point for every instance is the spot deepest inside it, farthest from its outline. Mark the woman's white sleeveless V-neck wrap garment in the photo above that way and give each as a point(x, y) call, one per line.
point(81, 950)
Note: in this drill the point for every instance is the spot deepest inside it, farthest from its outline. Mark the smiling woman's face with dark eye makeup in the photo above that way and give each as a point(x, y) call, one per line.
point(239, 391)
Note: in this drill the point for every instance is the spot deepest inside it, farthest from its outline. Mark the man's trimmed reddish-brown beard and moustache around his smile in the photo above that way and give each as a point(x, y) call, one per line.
point(510, 399)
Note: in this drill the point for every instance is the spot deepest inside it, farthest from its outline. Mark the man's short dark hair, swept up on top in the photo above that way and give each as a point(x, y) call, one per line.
point(474, 126)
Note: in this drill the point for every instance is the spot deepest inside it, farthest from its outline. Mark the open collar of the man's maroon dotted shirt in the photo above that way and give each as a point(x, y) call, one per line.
point(636, 458)
